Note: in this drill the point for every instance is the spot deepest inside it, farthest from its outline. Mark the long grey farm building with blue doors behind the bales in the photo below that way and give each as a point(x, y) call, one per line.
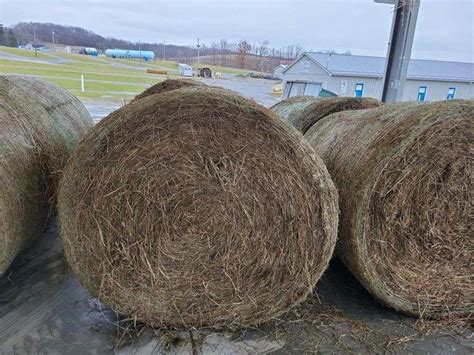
point(362, 76)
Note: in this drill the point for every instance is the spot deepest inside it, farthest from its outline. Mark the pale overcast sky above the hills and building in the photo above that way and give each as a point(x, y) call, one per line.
point(444, 30)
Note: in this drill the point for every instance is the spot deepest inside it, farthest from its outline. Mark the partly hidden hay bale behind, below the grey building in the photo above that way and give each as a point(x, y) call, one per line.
point(304, 111)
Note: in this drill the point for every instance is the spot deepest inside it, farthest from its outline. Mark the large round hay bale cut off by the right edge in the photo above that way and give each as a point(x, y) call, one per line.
point(404, 177)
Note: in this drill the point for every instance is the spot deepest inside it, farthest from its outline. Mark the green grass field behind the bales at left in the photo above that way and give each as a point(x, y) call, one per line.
point(105, 78)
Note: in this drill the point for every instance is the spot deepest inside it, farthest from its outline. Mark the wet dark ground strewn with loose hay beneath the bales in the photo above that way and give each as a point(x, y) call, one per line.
point(44, 310)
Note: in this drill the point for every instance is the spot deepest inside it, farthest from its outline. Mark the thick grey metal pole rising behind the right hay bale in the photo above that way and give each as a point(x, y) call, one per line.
point(399, 47)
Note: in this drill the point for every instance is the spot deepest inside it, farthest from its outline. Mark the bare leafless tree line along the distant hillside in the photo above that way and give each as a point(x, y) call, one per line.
point(242, 54)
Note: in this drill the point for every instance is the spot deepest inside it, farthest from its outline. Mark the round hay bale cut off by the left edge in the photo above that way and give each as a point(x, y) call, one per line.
point(40, 125)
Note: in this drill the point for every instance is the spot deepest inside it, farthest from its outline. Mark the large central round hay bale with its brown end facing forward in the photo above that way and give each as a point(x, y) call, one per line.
point(197, 208)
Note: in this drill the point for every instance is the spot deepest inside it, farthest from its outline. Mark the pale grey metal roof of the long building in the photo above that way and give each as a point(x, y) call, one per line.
point(365, 66)
